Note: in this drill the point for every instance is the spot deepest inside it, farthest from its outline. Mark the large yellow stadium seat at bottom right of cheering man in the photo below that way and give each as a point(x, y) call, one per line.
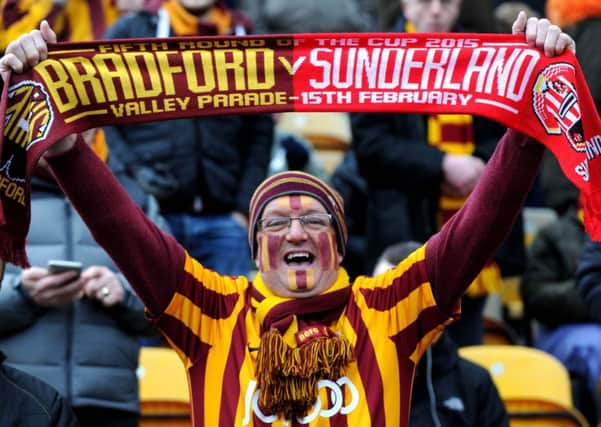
point(534, 385)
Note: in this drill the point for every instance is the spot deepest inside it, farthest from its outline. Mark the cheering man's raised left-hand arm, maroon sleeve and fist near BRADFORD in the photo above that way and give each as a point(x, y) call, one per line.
point(151, 260)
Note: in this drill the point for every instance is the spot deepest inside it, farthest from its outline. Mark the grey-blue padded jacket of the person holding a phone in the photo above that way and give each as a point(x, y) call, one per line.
point(87, 352)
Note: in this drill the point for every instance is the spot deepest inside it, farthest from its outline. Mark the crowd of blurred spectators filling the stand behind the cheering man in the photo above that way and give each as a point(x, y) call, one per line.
point(401, 175)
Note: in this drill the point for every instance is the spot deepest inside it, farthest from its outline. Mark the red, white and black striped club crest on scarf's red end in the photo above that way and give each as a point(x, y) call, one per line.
point(555, 103)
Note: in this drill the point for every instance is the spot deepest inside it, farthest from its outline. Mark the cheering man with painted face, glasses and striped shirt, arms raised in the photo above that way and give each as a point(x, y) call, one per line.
point(300, 343)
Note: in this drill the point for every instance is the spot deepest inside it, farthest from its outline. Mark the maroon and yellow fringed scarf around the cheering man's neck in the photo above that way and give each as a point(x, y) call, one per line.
point(297, 347)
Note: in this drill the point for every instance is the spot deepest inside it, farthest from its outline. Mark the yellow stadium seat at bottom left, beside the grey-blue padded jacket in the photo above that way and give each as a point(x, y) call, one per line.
point(164, 398)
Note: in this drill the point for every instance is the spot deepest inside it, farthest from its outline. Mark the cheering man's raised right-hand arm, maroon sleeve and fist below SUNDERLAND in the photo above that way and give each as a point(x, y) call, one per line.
point(456, 254)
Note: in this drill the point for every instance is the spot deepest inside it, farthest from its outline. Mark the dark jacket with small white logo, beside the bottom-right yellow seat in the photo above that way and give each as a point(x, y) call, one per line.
point(462, 392)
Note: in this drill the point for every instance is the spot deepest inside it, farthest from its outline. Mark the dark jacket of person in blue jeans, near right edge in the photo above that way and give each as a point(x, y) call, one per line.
point(548, 286)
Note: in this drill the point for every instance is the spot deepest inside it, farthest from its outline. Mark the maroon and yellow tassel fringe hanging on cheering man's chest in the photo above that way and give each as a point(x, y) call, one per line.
point(288, 377)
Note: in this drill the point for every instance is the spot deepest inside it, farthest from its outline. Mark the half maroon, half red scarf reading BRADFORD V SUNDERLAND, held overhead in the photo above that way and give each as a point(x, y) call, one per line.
point(91, 84)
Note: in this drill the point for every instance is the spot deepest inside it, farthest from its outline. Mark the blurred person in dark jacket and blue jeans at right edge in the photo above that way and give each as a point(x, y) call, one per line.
point(564, 327)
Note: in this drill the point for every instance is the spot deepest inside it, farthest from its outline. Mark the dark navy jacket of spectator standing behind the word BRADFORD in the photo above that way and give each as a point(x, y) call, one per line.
point(220, 159)
